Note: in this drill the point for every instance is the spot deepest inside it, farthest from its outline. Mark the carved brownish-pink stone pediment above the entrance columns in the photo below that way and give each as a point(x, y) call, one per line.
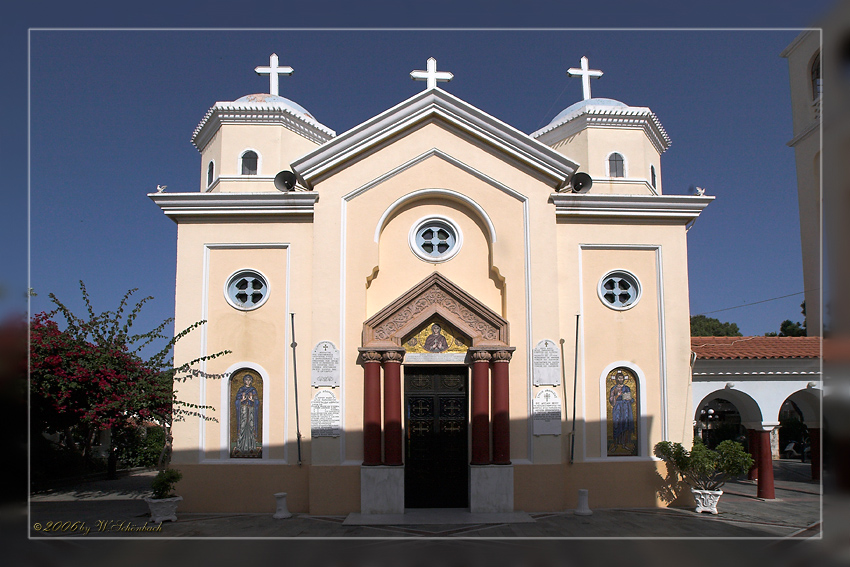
point(435, 295)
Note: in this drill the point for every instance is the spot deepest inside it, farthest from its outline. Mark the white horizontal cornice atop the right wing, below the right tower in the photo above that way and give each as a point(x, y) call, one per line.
point(681, 208)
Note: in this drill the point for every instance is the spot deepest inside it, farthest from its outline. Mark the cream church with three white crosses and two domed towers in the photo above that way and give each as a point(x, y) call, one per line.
point(432, 309)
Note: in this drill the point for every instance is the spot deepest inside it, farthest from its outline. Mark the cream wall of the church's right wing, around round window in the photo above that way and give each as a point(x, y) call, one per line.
point(653, 336)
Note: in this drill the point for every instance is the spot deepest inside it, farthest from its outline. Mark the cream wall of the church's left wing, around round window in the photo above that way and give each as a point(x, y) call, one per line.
point(283, 254)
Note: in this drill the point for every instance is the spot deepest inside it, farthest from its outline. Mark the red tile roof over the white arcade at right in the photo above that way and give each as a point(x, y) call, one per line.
point(756, 347)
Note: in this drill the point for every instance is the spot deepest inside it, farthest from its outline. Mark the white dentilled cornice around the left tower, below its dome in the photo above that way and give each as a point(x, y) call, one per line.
point(257, 113)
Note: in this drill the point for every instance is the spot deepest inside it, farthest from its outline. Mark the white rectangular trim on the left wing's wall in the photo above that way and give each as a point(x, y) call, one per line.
point(267, 388)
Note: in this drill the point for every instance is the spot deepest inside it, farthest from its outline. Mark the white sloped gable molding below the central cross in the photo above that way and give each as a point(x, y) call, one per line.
point(429, 105)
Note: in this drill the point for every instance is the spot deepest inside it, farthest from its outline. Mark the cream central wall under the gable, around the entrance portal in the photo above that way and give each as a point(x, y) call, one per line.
point(522, 209)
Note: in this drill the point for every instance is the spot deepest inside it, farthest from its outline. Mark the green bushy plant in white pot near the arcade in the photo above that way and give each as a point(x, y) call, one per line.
point(706, 470)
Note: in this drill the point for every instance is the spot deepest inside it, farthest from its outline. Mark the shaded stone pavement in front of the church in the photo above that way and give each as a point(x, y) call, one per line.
point(116, 509)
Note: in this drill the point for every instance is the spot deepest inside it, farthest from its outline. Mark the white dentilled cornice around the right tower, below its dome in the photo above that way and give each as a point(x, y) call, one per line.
point(633, 117)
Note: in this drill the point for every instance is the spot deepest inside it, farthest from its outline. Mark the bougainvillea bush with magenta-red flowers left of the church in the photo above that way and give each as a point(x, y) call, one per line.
point(88, 375)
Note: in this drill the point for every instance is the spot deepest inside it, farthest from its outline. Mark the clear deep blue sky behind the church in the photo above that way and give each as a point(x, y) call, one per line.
point(112, 113)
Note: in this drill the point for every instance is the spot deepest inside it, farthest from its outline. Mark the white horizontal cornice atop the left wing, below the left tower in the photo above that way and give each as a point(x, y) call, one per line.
point(178, 206)
